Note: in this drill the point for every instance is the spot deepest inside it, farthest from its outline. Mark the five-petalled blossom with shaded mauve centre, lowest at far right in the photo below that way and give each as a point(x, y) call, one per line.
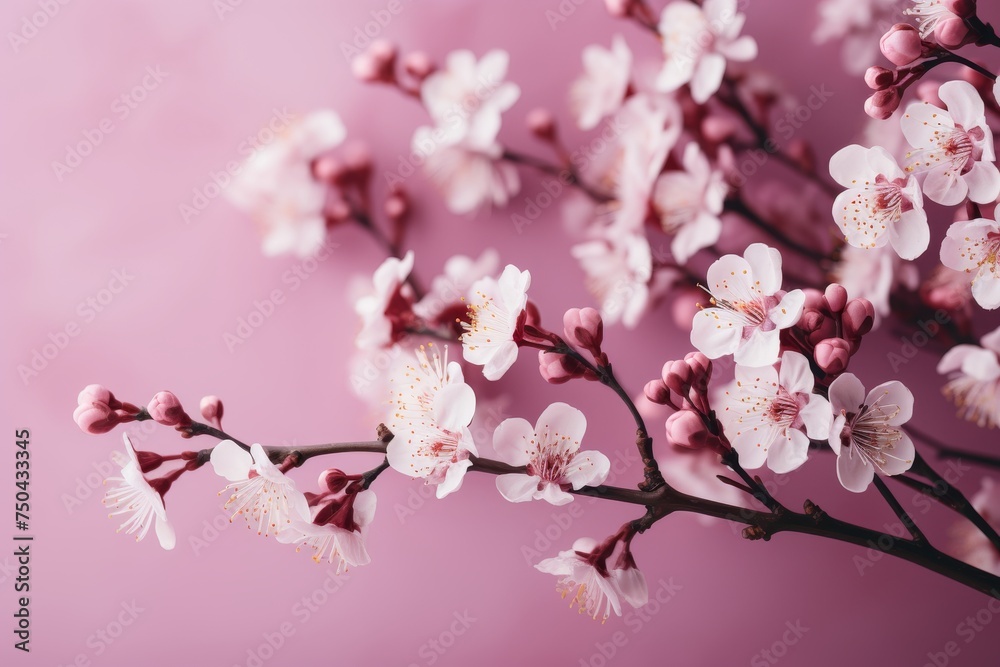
point(866, 436)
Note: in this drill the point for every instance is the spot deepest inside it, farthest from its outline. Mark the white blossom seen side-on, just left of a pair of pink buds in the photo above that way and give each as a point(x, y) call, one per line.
point(496, 317)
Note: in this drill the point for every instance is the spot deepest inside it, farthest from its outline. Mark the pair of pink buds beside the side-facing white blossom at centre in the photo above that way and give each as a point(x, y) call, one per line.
point(583, 329)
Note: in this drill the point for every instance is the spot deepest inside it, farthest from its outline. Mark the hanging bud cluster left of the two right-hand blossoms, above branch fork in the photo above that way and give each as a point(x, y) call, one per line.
point(683, 385)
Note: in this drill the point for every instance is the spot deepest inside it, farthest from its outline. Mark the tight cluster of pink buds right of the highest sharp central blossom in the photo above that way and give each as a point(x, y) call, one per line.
point(831, 328)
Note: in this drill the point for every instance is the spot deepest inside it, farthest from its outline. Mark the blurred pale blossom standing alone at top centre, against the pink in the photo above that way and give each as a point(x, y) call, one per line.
point(602, 88)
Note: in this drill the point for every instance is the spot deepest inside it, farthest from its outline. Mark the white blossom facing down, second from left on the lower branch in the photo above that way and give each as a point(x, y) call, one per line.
point(260, 490)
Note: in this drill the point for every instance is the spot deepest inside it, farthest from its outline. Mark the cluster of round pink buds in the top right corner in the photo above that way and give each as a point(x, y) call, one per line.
point(947, 22)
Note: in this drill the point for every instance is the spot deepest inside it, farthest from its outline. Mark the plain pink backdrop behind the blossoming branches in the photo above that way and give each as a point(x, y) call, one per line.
point(118, 210)
